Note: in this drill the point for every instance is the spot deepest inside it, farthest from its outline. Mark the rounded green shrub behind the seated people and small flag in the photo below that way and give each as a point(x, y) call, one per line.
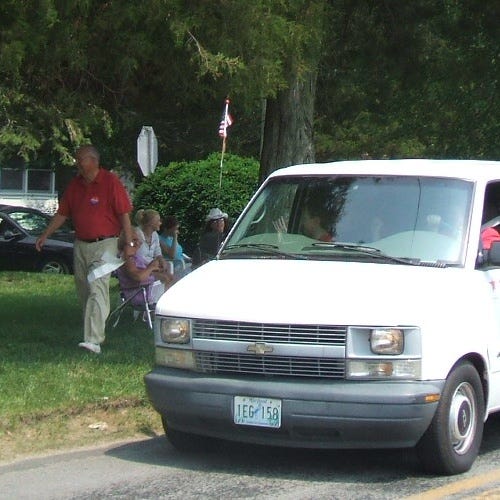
point(189, 190)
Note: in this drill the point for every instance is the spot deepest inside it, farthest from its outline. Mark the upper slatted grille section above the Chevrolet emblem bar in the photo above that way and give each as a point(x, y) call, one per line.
point(275, 333)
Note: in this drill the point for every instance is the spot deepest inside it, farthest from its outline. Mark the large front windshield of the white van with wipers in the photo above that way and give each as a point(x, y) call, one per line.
point(404, 219)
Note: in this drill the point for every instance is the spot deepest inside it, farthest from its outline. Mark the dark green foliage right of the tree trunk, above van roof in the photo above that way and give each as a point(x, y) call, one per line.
point(410, 79)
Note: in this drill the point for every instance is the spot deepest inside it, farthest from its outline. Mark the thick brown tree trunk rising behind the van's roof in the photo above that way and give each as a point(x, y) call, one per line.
point(288, 128)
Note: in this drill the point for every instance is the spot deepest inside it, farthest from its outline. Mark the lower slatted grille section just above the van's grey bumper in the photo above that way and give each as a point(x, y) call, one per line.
point(210, 362)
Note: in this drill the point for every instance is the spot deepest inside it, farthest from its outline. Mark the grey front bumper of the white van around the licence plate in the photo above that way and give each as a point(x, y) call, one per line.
point(315, 413)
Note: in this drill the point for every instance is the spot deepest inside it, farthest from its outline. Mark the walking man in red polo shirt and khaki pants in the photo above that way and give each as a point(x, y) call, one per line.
point(99, 207)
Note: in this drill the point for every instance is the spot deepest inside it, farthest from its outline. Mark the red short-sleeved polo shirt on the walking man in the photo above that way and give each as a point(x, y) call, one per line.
point(94, 208)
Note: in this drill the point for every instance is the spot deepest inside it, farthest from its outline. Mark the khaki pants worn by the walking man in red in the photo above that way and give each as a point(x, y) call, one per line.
point(94, 296)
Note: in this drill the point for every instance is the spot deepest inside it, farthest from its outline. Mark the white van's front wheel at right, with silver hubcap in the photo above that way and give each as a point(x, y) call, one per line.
point(451, 443)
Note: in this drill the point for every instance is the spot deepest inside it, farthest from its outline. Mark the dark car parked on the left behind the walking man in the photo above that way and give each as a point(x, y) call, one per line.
point(19, 229)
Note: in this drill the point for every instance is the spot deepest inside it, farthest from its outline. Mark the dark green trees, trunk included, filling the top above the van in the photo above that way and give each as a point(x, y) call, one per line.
point(332, 80)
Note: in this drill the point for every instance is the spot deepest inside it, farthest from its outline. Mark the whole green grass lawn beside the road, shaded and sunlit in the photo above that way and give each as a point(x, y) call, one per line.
point(43, 372)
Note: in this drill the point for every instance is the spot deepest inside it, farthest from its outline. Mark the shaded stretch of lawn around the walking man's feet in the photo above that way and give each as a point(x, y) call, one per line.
point(42, 321)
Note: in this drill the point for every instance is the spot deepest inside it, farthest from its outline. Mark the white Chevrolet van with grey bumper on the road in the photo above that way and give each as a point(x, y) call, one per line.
point(351, 306)
